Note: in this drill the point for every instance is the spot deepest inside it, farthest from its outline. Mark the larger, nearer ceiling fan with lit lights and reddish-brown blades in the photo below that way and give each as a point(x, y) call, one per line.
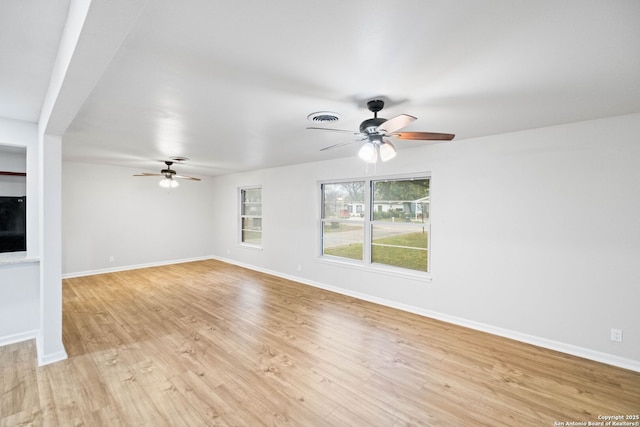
point(376, 130)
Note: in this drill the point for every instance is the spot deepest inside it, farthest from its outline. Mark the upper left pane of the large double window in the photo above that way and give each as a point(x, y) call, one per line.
point(343, 200)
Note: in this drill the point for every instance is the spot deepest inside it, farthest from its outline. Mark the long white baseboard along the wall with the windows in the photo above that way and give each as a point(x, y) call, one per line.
point(609, 359)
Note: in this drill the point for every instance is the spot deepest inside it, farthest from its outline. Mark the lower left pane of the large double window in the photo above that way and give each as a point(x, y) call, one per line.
point(343, 239)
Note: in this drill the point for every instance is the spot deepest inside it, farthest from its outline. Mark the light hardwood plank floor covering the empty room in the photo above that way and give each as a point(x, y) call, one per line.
point(207, 343)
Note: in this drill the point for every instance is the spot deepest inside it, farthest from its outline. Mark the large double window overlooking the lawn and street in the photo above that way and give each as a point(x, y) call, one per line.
point(382, 222)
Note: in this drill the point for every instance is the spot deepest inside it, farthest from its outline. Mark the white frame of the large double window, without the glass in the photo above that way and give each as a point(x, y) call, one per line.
point(366, 264)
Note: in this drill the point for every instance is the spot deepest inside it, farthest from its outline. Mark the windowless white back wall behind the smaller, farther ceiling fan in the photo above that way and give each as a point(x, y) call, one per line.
point(107, 212)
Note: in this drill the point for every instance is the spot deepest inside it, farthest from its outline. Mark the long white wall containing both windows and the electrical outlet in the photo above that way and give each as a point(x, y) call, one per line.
point(535, 234)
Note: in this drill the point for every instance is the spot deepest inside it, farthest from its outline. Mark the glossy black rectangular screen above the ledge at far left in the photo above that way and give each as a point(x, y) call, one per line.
point(13, 224)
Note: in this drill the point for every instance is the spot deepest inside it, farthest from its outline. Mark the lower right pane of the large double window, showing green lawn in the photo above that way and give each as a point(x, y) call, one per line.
point(400, 245)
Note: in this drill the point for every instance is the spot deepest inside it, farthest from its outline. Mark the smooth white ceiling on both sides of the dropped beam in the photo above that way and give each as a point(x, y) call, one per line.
point(230, 83)
